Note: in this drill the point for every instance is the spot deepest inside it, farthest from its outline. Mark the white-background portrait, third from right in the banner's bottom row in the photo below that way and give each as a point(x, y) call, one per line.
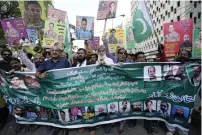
point(150, 106)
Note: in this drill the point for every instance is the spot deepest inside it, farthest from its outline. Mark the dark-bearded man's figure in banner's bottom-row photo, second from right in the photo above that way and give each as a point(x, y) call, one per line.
point(164, 109)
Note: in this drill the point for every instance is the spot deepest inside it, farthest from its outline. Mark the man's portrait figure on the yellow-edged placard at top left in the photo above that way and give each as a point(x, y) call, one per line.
point(33, 14)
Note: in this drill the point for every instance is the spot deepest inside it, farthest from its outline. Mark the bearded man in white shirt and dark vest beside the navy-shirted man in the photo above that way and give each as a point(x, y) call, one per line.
point(81, 58)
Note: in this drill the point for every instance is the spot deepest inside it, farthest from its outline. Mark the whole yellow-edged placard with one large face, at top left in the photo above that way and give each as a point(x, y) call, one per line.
point(33, 13)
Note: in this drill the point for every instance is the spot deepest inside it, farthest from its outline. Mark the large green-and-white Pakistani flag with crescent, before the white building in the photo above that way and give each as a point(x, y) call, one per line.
point(142, 25)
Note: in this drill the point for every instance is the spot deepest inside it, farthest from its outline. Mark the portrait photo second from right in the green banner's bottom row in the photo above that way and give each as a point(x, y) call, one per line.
point(164, 109)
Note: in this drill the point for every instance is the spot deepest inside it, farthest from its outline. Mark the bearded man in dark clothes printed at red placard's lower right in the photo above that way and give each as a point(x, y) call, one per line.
point(187, 45)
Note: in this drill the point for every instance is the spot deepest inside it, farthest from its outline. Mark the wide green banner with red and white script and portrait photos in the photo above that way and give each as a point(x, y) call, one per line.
point(94, 95)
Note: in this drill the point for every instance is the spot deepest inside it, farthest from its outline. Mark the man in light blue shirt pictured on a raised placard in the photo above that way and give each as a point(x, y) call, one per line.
point(82, 33)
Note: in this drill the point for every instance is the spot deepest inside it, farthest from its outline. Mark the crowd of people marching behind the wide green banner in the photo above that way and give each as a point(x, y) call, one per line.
point(54, 58)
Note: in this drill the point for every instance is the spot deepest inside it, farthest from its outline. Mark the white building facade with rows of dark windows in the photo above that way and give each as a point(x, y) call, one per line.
point(165, 11)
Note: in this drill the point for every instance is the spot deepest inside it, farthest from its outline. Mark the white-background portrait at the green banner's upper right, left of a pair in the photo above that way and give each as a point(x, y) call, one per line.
point(152, 73)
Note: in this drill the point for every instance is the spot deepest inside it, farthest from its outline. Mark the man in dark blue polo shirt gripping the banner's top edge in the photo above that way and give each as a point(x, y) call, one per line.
point(56, 62)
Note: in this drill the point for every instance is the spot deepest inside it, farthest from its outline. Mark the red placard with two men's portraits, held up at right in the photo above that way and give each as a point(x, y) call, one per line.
point(178, 35)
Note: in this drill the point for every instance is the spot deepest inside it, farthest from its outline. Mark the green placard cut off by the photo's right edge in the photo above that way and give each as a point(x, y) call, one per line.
point(197, 44)
